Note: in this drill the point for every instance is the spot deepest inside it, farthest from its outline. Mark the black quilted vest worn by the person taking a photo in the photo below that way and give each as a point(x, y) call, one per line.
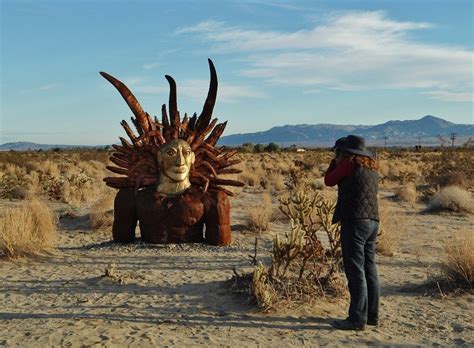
point(357, 196)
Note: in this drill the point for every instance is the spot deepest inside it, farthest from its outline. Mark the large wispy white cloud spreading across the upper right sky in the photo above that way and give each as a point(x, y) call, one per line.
point(351, 51)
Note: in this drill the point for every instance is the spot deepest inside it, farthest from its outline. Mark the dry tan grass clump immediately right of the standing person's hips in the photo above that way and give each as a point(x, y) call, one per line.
point(389, 231)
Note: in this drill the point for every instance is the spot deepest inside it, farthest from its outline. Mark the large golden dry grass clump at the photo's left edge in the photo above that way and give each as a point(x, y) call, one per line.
point(29, 229)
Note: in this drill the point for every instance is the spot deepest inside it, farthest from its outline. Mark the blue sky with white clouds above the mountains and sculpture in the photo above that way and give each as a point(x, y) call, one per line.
point(278, 62)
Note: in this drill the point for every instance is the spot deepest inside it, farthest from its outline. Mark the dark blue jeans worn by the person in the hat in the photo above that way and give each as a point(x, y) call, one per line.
point(358, 238)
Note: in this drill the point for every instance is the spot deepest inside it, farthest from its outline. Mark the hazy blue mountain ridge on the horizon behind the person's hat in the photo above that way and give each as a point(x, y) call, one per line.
point(407, 132)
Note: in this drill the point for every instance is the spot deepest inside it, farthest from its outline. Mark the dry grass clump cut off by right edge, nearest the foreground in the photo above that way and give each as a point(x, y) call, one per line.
point(458, 266)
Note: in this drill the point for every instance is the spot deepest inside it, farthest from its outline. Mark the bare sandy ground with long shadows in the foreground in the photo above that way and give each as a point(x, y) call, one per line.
point(177, 295)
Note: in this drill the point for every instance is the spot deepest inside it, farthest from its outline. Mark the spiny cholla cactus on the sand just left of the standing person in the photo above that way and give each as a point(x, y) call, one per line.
point(302, 267)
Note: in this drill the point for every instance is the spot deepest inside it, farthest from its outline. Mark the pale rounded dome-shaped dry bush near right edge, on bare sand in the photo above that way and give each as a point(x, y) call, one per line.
point(452, 198)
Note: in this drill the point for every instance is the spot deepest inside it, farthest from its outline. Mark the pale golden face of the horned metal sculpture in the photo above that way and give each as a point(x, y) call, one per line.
point(176, 159)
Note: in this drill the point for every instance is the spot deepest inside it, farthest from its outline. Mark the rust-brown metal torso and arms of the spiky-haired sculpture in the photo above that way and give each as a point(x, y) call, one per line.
point(172, 219)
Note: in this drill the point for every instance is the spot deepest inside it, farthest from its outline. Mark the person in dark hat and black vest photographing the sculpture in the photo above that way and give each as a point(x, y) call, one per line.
point(355, 173)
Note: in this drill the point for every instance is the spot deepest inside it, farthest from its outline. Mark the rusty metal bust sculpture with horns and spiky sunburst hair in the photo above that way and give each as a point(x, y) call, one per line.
point(170, 174)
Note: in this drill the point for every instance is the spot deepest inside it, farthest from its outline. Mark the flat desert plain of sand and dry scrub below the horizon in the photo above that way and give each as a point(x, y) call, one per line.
point(86, 291)
